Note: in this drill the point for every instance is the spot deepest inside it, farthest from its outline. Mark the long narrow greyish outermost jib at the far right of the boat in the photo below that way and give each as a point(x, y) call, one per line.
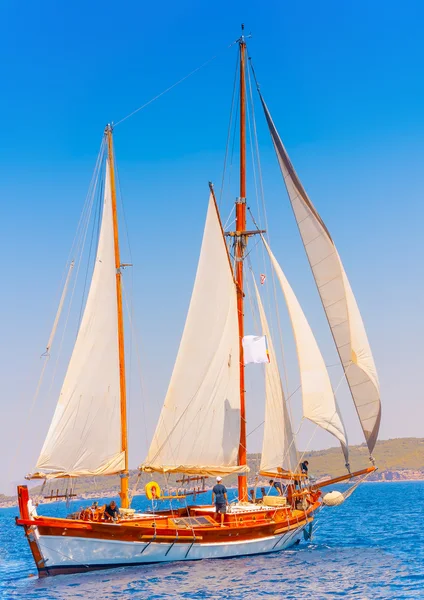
point(336, 294)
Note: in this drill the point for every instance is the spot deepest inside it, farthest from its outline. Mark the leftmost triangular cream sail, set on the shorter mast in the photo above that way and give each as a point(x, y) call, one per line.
point(85, 435)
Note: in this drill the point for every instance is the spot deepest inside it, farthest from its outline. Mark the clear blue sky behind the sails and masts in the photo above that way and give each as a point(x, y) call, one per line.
point(344, 84)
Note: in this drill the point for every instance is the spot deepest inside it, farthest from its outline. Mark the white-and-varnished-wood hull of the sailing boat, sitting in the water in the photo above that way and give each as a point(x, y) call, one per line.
point(70, 546)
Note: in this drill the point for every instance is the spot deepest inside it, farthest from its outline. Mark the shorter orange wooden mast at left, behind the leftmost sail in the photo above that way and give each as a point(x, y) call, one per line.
point(122, 385)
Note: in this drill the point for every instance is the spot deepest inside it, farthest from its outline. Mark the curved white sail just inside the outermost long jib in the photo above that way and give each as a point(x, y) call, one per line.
point(319, 404)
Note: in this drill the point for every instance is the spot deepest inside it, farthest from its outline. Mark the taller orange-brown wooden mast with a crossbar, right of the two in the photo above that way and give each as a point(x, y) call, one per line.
point(240, 244)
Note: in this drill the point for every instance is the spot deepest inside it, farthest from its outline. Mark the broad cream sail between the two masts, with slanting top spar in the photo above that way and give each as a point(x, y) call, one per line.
point(199, 426)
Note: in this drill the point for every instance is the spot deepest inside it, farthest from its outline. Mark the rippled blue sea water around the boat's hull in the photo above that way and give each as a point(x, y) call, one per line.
point(370, 547)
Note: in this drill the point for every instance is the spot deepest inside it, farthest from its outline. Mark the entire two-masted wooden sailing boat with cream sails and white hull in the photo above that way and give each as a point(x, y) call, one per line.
point(205, 398)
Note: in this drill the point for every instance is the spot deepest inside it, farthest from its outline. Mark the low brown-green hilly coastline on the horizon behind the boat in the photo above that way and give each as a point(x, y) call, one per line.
point(397, 459)
